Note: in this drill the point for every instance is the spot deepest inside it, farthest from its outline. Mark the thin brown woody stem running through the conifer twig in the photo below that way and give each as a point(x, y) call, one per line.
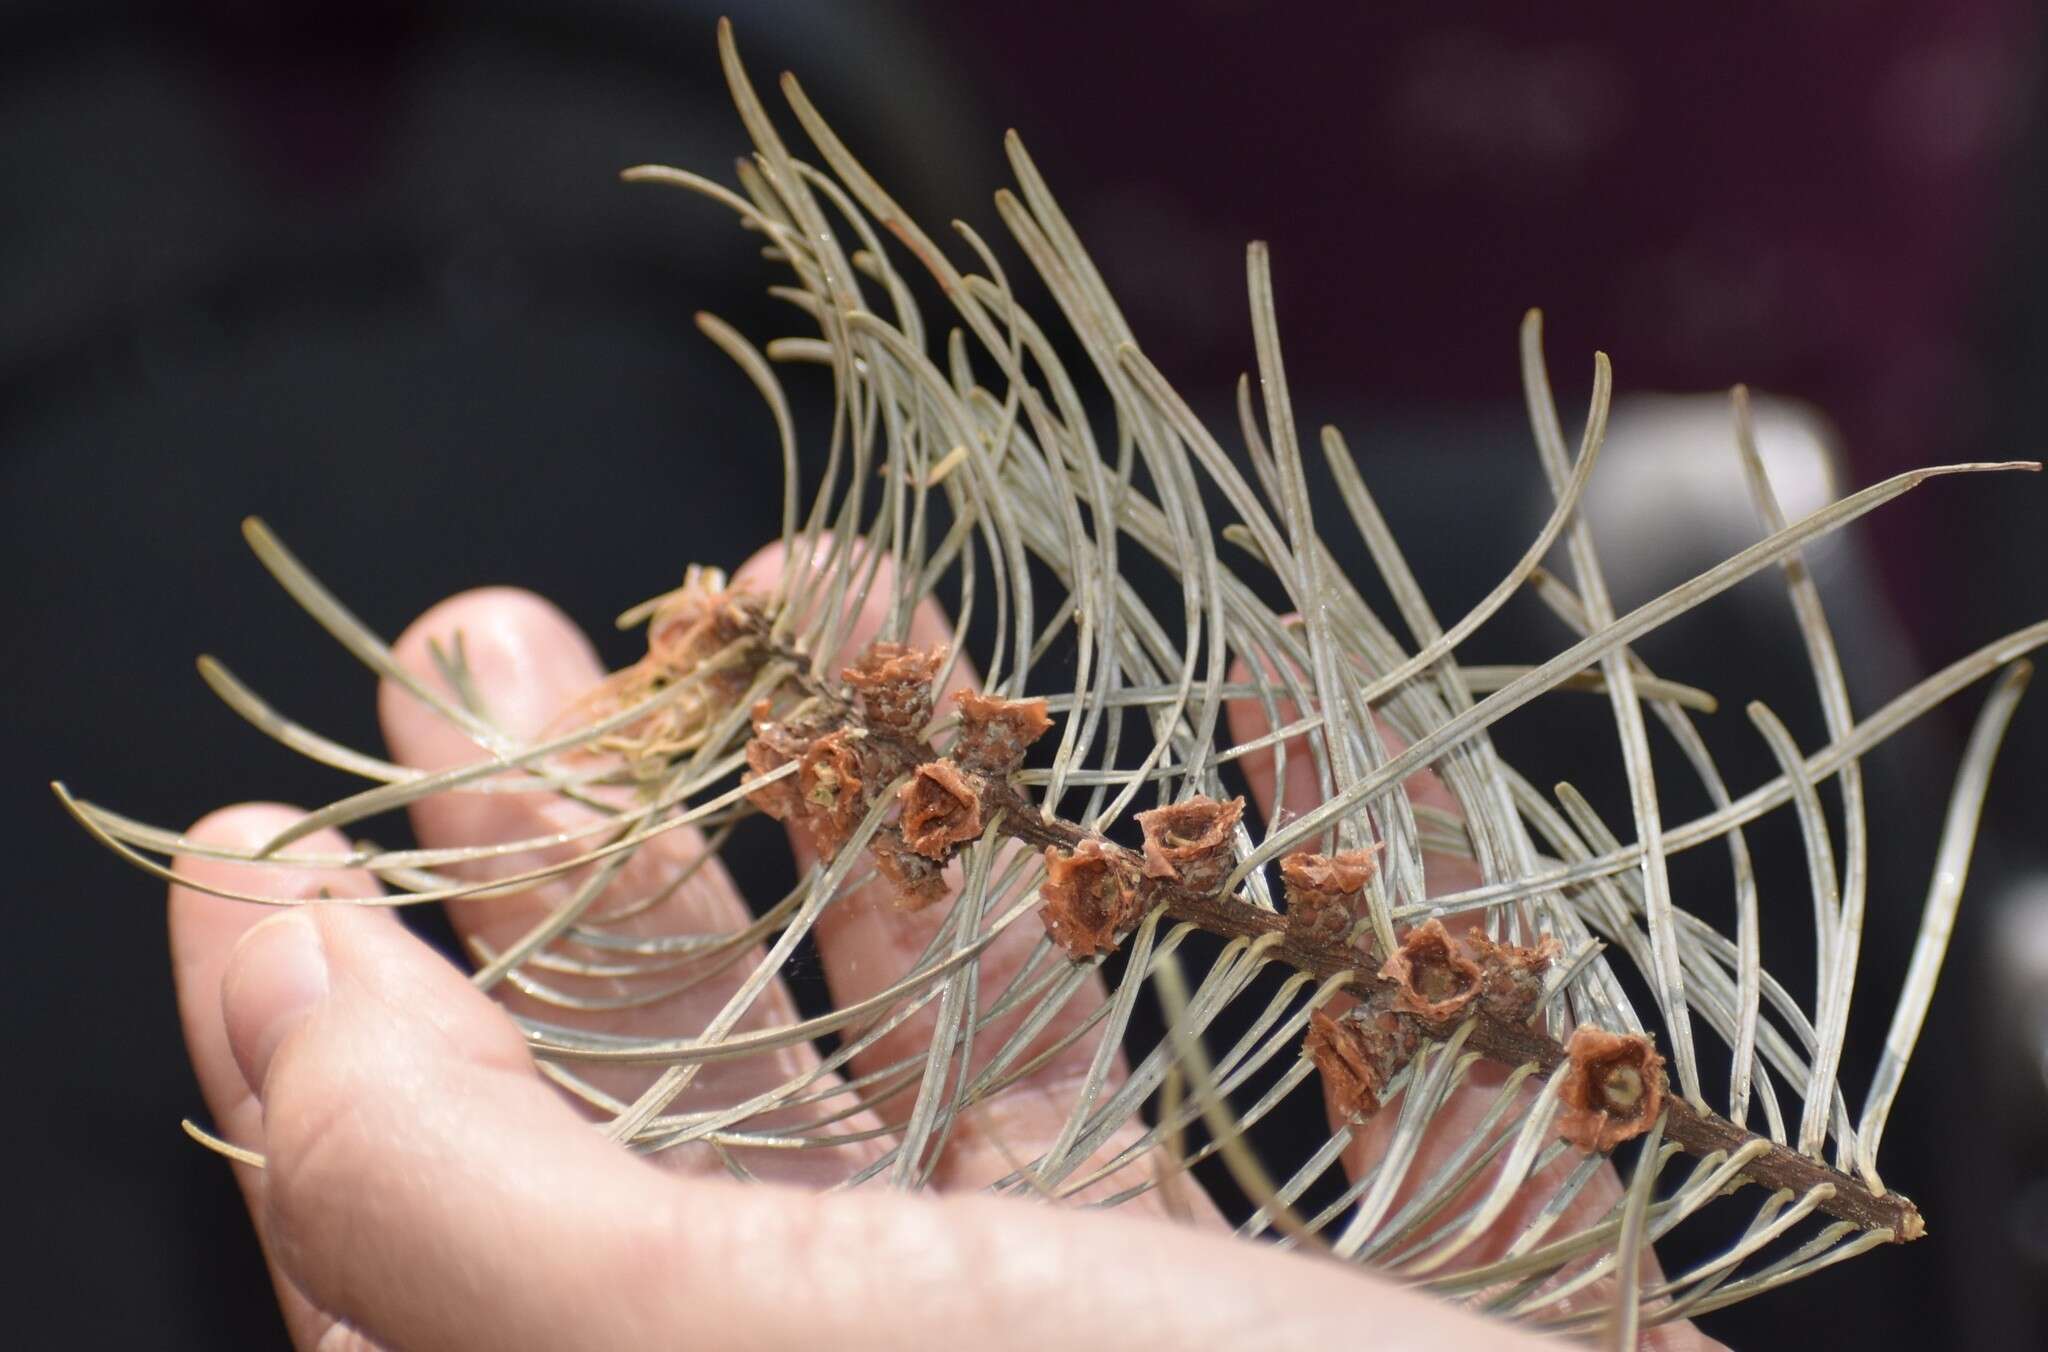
point(1695, 1130)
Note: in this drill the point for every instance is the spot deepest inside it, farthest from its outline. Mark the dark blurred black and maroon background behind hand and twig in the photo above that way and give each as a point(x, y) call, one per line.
point(366, 269)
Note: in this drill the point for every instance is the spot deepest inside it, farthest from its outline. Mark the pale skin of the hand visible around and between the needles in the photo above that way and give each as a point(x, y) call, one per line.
point(429, 1189)
